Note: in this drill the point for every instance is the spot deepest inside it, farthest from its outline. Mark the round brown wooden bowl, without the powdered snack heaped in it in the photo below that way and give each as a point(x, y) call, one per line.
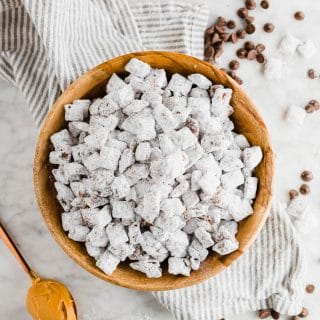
point(92, 84)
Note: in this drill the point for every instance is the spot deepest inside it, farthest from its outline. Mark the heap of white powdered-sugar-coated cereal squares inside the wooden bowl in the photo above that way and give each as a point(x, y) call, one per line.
point(154, 172)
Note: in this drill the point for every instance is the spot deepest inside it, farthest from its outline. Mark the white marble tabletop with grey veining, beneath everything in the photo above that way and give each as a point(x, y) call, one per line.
point(297, 149)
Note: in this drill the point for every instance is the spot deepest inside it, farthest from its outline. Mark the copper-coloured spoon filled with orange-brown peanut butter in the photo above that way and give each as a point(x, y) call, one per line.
point(46, 299)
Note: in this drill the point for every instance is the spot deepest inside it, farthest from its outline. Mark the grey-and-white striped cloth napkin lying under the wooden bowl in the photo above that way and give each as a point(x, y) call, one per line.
point(47, 44)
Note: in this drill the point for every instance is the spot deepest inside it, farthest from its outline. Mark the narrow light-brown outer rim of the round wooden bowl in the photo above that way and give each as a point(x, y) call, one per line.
point(226, 260)
